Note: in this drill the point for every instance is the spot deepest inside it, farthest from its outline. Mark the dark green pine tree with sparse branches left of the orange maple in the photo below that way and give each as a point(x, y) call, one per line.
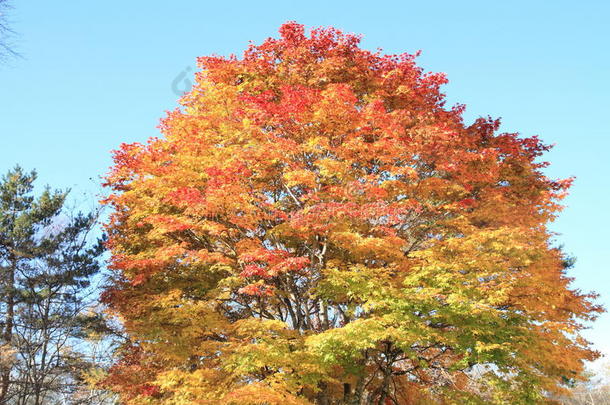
point(47, 260)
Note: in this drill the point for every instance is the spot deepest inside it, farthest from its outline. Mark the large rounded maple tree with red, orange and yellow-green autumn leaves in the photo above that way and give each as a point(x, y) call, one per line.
point(316, 227)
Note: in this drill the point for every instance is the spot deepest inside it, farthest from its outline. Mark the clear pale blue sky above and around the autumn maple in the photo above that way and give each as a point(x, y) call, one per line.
point(95, 74)
